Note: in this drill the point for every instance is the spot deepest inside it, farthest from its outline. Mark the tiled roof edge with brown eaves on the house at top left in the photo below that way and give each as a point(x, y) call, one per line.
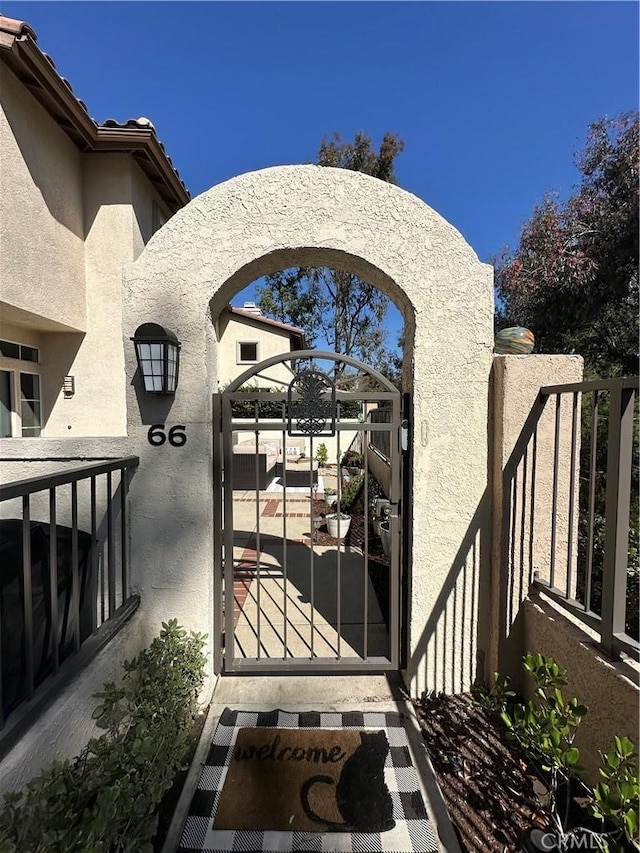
point(37, 71)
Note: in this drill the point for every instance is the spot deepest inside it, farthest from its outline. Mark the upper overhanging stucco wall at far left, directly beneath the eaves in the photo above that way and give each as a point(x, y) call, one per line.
point(42, 258)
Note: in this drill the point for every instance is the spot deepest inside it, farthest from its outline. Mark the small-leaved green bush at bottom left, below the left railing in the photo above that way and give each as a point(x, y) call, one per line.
point(105, 800)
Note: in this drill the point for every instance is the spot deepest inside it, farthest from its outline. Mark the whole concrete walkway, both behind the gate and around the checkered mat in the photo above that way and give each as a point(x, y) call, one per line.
point(297, 615)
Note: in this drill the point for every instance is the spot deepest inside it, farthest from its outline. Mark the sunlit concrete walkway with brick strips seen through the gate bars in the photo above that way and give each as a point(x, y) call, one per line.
point(292, 597)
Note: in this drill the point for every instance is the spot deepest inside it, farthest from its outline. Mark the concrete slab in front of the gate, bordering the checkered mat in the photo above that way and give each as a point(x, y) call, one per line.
point(317, 693)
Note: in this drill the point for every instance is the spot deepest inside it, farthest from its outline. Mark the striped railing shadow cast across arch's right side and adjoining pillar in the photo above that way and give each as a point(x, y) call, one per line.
point(475, 624)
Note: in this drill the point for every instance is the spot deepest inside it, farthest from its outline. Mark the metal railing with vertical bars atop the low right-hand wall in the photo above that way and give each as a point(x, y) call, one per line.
point(592, 568)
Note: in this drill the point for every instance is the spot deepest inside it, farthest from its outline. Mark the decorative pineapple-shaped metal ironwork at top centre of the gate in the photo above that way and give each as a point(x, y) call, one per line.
point(311, 408)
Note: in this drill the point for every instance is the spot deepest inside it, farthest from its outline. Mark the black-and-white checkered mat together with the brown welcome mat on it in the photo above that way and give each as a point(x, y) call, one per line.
point(313, 781)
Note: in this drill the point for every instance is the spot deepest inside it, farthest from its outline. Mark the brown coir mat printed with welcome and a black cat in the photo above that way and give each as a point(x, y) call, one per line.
point(312, 780)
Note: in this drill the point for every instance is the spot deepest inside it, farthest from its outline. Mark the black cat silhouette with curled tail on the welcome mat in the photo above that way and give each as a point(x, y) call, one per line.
point(361, 794)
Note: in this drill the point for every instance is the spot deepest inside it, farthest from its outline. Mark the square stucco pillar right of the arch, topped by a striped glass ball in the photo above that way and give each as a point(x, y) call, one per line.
point(518, 548)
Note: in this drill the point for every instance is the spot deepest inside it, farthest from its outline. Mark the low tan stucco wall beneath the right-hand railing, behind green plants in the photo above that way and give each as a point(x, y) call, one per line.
point(611, 694)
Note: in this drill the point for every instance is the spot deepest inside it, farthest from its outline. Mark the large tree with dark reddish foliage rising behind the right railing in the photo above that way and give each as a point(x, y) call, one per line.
point(573, 279)
